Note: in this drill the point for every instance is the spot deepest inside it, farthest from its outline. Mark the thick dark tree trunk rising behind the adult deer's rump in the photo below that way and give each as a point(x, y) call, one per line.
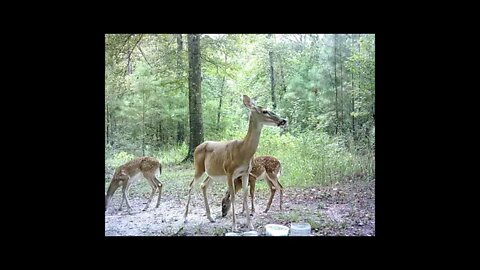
point(194, 94)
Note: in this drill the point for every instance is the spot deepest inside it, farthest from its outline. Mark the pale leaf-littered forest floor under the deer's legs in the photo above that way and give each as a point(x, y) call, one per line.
point(341, 209)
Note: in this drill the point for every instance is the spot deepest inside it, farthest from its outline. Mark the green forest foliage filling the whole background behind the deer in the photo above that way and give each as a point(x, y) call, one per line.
point(331, 131)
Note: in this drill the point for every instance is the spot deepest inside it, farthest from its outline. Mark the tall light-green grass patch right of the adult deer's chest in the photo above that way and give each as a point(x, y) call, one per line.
point(313, 157)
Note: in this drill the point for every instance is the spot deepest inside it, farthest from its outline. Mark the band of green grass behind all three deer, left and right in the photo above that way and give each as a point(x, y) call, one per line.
point(308, 159)
